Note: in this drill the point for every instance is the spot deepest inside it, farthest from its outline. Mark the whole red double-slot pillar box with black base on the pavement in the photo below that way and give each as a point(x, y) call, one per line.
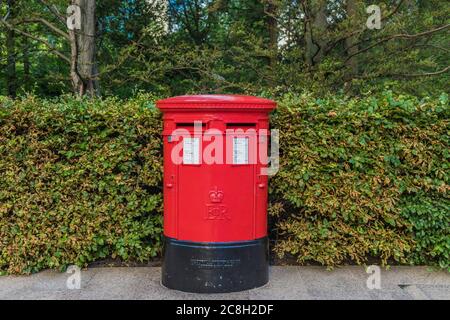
point(215, 192)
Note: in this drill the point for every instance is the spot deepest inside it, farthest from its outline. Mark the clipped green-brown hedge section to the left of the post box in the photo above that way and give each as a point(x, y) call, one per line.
point(80, 180)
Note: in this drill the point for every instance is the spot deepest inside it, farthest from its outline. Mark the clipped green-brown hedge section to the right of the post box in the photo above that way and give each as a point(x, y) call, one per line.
point(362, 177)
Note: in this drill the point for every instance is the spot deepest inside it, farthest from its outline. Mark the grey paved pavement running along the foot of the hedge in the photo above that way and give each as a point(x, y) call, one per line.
point(286, 282)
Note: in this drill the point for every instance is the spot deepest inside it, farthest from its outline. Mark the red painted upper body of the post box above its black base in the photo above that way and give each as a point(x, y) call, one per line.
point(223, 201)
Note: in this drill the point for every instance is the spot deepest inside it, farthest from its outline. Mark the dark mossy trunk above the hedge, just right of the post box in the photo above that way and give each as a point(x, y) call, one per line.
point(315, 26)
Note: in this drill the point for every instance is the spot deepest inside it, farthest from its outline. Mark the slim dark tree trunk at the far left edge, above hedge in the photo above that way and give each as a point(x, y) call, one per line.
point(11, 76)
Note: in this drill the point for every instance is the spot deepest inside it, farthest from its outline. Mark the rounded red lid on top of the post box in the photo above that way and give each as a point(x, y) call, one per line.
point(215, 101)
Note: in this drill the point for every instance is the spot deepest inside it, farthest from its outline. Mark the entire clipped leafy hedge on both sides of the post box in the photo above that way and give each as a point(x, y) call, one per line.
point(80, 180)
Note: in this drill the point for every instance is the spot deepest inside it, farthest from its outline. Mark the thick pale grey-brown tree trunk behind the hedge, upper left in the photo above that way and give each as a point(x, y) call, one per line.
point(83, 67)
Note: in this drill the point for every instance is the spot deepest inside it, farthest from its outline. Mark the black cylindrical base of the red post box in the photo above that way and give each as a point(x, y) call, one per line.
point(215, 267)
